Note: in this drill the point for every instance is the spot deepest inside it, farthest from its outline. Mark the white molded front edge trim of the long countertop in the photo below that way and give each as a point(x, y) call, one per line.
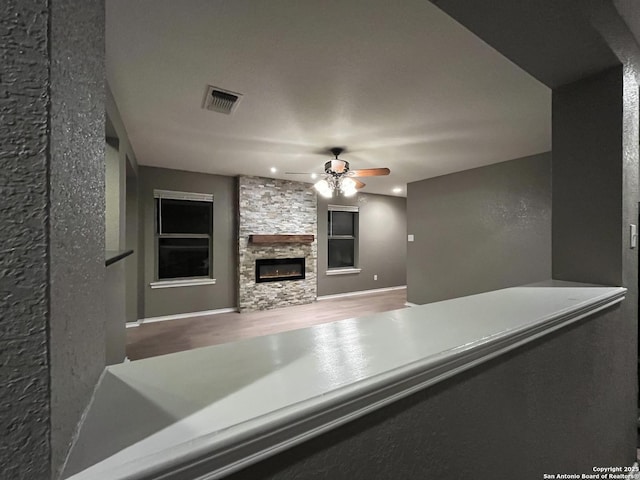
point(222, 453)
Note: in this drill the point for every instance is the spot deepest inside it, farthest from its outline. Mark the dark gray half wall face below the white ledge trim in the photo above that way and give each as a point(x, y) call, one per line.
point(516, 417)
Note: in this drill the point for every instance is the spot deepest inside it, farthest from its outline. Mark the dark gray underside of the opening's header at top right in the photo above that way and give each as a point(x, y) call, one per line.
point(552, 40)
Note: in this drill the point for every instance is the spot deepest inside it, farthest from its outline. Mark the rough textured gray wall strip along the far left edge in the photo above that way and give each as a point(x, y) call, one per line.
point(24, 369)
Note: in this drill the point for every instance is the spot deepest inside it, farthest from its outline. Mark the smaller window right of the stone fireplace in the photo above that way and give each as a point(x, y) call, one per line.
point(342, 233)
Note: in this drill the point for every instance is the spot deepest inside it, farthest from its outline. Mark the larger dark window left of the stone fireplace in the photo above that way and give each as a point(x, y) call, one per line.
point(184, 232)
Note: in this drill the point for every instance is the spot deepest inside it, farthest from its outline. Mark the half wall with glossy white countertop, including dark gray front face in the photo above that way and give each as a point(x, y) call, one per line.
point(505, 384)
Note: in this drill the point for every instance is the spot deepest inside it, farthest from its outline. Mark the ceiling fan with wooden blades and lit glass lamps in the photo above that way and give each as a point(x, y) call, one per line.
point(338, 176)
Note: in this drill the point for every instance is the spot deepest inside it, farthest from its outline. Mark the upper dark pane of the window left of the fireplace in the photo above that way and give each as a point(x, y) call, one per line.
point(186, 216)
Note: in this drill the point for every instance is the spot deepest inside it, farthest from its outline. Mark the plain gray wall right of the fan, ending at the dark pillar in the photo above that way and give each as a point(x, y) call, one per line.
point(479, 230)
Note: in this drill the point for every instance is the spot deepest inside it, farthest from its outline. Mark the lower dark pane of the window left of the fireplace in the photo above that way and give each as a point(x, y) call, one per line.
point(183, 257)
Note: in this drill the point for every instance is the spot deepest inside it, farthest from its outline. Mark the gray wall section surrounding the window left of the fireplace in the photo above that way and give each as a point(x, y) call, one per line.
point(169, 301)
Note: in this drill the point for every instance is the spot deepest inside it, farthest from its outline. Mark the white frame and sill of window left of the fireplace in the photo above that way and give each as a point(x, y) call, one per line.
point(160, 195)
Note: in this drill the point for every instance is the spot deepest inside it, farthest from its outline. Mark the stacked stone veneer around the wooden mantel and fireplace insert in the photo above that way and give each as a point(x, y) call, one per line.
point(275, 207)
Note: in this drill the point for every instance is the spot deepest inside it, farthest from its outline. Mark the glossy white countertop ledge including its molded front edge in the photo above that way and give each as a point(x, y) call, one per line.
point(232, 404)
